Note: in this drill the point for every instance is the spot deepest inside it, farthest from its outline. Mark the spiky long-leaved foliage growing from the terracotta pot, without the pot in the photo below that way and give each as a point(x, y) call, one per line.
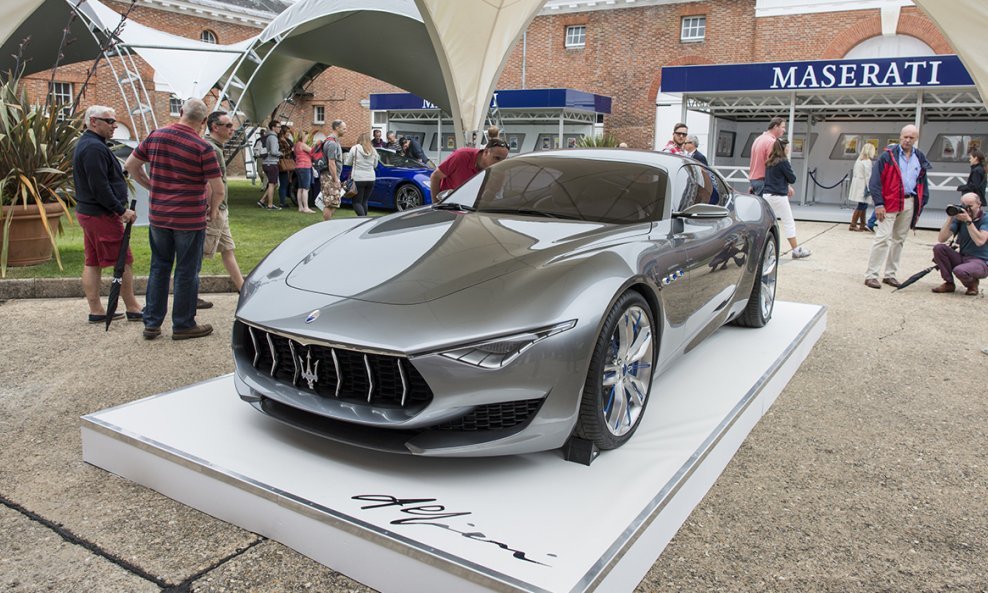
point(36, 147)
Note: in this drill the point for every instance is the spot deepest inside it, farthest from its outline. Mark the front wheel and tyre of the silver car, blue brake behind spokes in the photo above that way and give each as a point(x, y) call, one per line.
point(620, 376)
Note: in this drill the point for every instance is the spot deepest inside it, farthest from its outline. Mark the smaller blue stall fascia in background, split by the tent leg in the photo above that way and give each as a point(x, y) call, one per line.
point(512, 99)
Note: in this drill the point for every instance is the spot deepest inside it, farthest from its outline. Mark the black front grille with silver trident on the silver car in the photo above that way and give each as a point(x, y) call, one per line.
point(349, 375)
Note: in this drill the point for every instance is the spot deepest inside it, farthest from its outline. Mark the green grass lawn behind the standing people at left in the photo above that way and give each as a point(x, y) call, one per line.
point(255, 231)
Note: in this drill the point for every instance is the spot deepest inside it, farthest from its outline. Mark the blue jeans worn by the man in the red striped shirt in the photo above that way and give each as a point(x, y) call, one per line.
point(183, 249)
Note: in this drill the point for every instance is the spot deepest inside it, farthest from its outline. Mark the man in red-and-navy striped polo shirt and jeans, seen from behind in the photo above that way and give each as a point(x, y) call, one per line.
point(181, 165)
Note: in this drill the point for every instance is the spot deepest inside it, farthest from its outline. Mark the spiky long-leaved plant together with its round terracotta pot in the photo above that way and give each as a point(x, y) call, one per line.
point(36, 148)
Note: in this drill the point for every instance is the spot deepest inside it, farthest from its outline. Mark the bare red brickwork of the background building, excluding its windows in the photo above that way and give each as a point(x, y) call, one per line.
point(624, 53)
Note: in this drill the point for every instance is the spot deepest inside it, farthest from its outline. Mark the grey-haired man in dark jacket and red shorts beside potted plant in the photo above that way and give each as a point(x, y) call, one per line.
point(101, 209)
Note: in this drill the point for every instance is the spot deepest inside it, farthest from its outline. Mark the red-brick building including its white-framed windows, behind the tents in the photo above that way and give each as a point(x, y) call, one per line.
point(615, 49)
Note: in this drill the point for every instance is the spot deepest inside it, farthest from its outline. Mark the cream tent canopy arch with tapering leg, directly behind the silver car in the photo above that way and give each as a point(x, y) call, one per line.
point(448, 53)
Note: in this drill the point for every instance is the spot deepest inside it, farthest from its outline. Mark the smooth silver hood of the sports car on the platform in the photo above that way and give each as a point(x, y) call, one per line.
point(425, 254)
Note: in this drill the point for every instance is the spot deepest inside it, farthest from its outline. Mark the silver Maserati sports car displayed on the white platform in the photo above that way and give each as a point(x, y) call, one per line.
point(533, 304)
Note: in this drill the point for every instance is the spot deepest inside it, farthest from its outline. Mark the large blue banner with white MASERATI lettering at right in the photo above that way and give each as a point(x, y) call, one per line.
point(927, 71)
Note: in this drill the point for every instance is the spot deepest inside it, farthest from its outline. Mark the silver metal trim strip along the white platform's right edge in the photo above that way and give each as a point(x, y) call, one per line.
point(615, 553)
